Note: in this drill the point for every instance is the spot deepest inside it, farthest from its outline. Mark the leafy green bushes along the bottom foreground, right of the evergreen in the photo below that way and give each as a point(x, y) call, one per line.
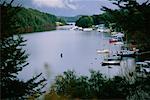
point(96, 86)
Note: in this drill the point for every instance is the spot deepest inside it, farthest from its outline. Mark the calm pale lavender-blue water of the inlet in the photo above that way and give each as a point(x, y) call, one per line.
point(79, 54)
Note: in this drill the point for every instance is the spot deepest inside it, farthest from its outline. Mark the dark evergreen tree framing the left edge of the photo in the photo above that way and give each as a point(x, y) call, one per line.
point(13, 59)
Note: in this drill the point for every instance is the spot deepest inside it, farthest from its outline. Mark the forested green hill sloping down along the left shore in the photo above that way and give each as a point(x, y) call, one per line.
point(31, 20)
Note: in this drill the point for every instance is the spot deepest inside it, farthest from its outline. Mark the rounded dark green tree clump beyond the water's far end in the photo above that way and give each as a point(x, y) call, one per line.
point(85, 22)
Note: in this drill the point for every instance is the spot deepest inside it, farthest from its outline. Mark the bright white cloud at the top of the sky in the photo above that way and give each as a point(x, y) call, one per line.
point(55, 3)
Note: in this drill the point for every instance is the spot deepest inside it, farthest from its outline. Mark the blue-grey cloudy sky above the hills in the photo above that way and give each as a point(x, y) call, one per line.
point(67, 7)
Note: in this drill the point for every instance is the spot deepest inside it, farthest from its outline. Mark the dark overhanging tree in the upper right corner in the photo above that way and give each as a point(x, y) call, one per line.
point(132, 18)
